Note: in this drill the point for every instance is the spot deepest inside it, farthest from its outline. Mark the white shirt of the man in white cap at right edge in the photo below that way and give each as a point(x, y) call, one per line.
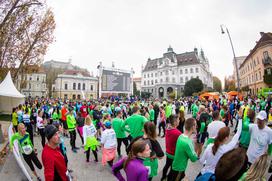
point(259, 141)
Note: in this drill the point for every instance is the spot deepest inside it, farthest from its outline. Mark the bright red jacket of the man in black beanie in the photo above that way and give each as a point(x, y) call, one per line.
point(54, 164)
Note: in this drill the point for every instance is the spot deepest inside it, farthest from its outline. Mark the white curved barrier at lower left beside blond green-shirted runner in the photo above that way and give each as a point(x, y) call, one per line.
point(17, 155)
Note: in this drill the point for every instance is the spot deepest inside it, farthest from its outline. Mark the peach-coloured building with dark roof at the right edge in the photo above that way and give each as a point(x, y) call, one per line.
point(256, 70)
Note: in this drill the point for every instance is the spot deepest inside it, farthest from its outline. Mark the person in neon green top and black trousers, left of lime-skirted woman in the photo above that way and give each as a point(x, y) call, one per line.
point(71, 123)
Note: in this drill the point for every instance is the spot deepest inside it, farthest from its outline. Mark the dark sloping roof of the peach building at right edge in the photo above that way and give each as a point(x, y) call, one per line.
point(266, 38)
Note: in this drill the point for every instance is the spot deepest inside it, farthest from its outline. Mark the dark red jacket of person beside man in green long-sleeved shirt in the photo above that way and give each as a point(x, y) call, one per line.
point(171, 137)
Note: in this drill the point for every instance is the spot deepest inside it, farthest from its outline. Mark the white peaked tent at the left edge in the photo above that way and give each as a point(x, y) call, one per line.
point(9, 96)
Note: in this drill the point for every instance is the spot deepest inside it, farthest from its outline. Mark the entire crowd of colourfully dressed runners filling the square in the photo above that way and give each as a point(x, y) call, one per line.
point(231, 138)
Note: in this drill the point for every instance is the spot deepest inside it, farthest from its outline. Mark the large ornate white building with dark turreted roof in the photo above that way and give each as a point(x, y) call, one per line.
point(169, 73)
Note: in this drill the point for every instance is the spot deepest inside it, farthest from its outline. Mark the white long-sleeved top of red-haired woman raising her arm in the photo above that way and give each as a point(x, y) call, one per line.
point(210, 160)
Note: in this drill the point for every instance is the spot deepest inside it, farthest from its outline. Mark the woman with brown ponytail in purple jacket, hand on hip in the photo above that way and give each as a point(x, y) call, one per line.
point(133, 164)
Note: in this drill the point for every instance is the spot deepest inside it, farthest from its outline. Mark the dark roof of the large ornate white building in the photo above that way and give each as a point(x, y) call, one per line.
point(187, 58)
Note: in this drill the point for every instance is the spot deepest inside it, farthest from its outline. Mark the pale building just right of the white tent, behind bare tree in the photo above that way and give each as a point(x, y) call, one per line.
point(32, 83)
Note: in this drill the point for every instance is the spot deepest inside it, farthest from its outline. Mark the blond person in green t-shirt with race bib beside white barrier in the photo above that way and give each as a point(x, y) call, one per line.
point(26, 148)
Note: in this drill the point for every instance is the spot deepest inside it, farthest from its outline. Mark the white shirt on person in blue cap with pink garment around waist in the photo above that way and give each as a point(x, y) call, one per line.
point(108, 138)
